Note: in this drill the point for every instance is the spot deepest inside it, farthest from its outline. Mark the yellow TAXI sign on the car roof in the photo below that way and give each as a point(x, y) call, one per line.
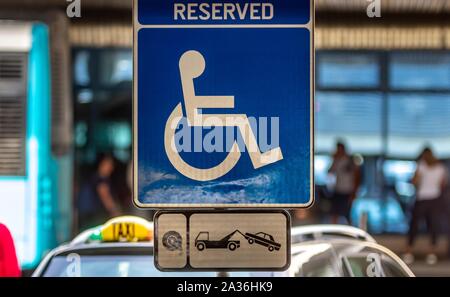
point(127, 229)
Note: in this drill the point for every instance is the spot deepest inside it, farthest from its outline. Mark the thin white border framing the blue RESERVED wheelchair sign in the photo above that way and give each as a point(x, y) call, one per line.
point(136, 27)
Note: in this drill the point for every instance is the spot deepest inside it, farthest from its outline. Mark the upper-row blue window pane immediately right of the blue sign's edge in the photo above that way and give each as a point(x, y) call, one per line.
point(348, 70)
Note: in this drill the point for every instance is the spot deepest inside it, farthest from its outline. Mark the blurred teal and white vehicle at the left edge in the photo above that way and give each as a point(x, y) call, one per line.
point(35, 173)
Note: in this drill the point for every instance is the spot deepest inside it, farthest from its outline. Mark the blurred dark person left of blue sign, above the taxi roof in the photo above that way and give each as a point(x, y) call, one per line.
point(96, 202)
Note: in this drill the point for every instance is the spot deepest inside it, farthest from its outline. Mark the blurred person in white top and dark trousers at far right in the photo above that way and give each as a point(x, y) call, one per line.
point(430, 180)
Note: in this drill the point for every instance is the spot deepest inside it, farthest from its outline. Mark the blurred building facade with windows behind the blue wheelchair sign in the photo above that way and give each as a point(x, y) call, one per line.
point(382, 86)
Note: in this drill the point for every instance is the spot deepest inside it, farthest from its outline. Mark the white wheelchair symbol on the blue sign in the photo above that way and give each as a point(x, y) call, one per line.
point(192, 65)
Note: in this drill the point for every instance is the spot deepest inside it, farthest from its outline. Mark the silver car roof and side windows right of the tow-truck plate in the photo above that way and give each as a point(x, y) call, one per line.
point(335, 250)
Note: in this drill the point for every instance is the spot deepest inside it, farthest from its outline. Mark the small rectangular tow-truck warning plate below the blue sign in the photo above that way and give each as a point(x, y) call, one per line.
point(222, 240)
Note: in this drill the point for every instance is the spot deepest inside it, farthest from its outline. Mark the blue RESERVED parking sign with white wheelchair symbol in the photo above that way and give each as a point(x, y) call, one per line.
point(223, 100)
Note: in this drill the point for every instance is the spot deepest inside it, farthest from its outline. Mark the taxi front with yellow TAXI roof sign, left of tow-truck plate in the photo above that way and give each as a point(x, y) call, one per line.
point(122, 247)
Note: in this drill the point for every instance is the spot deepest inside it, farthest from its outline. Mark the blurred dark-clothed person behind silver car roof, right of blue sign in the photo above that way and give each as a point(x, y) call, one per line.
point(347, 180)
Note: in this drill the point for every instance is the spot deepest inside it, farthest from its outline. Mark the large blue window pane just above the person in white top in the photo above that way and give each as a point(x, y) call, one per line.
point(417, 120)
